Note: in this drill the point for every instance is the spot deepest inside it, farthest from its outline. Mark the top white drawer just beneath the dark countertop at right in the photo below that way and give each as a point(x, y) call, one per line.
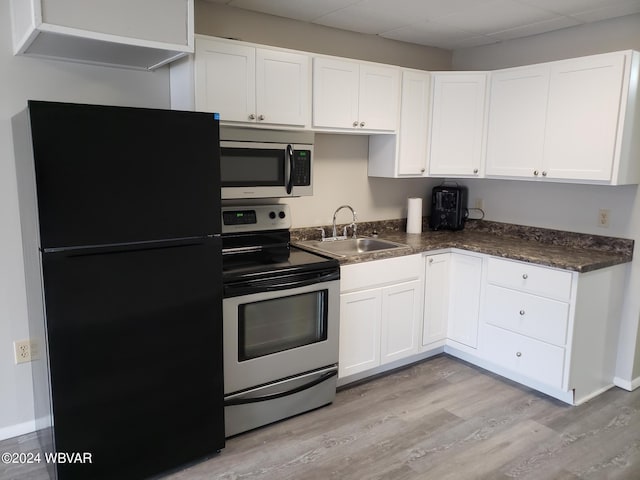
point(530, 278)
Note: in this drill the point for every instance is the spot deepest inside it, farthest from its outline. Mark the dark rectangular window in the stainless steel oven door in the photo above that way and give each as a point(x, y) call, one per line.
point(280, 324)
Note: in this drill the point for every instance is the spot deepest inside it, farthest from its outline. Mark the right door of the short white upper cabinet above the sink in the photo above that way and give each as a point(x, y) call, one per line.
point(379, 97)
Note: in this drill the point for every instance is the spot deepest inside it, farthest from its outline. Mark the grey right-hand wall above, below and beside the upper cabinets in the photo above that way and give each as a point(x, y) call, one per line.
point(569, 207)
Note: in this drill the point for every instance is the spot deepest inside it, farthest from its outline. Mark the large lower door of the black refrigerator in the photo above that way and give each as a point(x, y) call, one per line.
point(135, 353)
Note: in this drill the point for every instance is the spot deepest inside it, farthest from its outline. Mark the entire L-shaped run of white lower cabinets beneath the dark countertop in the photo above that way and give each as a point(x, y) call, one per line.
point(550, 329)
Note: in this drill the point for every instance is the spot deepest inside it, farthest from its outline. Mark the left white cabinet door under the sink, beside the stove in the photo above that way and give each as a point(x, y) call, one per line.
point(360, 318)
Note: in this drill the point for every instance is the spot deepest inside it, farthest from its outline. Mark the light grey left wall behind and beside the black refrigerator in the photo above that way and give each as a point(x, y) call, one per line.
point(22, 79)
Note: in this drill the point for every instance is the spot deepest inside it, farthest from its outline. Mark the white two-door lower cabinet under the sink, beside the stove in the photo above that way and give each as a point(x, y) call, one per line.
point(380, 313)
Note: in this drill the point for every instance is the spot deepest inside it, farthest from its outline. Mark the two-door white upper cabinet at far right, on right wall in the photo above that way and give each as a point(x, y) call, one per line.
point(572, 120)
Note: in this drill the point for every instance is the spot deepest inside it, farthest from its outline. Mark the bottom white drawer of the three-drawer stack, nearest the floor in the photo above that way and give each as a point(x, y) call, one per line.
point(536, 360)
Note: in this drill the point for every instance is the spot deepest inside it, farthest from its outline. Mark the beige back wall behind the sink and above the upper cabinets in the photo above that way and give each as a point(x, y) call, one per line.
point(340, 161)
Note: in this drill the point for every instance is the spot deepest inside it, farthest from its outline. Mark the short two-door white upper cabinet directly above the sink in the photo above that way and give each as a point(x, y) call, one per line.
point(353, 96)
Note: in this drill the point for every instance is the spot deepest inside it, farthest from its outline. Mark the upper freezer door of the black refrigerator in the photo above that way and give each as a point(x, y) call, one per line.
point(108, 175)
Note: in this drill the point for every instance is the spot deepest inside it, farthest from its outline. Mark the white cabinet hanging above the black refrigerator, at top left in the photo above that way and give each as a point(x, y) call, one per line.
point(144, 34)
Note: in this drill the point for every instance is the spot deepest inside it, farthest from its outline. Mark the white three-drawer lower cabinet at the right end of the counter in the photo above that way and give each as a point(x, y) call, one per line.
point(551, 329)
